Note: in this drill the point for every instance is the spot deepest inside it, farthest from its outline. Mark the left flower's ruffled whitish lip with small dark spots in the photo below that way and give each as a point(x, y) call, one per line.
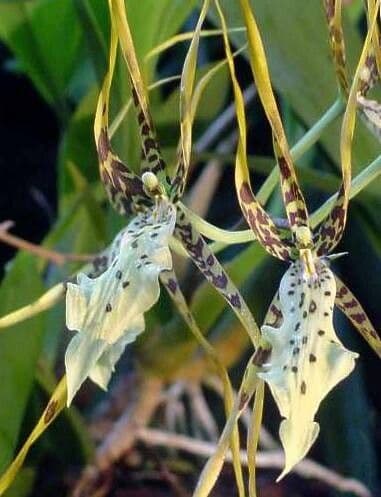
point(108, 311)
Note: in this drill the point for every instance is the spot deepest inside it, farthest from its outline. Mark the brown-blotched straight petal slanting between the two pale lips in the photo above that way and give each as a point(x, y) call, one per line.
point(209, 266)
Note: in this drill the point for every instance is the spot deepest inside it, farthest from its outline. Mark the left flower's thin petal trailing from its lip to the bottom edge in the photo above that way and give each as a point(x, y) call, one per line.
point(169, 280)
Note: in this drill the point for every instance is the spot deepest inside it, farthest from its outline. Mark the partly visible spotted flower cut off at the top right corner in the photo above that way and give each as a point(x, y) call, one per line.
point(371, 70)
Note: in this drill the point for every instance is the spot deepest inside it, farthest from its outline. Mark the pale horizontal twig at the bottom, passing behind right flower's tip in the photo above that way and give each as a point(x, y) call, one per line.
point(270, 459)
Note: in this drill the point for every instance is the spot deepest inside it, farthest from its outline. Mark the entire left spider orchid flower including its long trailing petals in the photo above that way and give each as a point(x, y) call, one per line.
point(106, 302)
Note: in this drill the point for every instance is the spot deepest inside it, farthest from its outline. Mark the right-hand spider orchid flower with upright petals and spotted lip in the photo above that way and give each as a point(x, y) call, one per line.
point(307, 358)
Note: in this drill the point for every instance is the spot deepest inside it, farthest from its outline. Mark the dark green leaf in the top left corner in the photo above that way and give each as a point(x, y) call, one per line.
point(47, 51)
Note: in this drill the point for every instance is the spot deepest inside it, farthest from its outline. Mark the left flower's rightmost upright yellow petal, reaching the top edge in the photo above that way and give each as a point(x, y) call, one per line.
point(186, 114)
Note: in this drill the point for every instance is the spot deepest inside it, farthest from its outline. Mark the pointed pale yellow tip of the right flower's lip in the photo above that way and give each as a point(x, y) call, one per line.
point(297, 439)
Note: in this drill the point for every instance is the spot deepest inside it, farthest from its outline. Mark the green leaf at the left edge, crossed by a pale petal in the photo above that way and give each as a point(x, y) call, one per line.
point(20, 347)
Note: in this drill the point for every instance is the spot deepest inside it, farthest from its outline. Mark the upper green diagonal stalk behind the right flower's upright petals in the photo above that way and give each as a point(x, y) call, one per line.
point(304, 144)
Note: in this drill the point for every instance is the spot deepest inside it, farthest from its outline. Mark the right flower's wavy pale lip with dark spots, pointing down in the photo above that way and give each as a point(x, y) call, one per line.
point(307, 358)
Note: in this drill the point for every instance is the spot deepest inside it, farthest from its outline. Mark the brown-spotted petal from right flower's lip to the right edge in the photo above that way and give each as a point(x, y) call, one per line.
point(351, 307)
